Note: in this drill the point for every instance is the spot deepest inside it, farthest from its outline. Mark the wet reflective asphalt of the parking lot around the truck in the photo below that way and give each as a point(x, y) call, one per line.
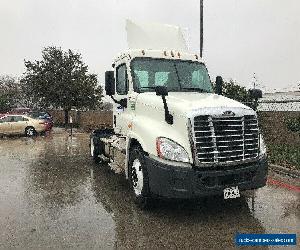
point(52, 196)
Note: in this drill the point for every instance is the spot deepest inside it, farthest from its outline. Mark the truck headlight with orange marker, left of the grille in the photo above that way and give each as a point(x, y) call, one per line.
point(170, 150)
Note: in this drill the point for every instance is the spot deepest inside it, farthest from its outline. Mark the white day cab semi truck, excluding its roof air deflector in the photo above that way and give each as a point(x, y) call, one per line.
point(173, 136)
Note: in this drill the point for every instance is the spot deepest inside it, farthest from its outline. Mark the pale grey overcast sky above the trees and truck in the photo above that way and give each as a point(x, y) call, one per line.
point(240, 36)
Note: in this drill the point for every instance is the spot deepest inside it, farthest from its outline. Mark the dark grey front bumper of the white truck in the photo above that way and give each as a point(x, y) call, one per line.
point(170, 181)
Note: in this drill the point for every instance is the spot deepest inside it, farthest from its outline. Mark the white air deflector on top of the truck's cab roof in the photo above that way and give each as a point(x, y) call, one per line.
point(154, 36)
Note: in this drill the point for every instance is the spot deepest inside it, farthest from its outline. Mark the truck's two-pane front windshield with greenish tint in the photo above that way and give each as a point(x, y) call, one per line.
point(176, 75)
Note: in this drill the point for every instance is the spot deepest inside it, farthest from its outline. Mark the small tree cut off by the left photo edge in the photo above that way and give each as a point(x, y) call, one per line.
point(10, 93)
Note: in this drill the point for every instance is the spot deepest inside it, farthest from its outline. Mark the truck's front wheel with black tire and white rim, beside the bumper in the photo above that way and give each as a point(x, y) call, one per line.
point(142, 195)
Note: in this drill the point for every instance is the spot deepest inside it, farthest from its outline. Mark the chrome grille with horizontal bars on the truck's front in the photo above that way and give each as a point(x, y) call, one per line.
point(225, 139)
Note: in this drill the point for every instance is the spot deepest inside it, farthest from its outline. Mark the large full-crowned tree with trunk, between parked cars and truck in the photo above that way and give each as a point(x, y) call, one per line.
point(61, 80)
